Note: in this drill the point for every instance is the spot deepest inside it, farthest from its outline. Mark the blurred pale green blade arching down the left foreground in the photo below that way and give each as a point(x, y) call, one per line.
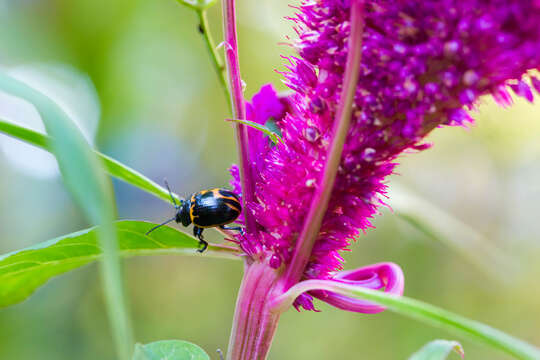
point(91, 189)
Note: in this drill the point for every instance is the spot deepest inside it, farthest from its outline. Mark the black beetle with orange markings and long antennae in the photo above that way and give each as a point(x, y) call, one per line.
point(205, 209)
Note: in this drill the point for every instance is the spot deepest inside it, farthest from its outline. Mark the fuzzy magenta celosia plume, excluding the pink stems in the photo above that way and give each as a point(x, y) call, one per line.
point(423, 63)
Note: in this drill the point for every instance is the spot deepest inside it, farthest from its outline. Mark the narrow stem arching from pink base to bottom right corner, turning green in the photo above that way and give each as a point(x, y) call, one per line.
point(418, 310)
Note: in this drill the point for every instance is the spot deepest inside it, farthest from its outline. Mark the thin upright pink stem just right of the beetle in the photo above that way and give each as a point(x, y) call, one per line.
point(239, 107)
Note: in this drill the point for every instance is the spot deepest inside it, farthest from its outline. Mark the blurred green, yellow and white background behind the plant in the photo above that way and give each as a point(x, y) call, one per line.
point(137, 76)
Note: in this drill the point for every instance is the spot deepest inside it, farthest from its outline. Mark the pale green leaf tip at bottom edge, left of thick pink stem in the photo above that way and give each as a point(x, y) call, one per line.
point(169, 350)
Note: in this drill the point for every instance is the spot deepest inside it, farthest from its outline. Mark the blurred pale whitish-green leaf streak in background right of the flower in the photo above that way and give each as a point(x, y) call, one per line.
point(438, 224)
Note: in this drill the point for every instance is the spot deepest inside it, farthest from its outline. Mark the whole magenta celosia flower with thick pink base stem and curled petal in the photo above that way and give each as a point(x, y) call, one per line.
point(423, 64)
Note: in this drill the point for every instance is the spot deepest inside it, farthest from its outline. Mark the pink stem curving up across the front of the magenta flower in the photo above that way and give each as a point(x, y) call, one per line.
point(312, 224)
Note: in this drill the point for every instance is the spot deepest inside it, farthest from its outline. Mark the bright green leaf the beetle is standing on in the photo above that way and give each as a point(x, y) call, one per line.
point(23, 271)
